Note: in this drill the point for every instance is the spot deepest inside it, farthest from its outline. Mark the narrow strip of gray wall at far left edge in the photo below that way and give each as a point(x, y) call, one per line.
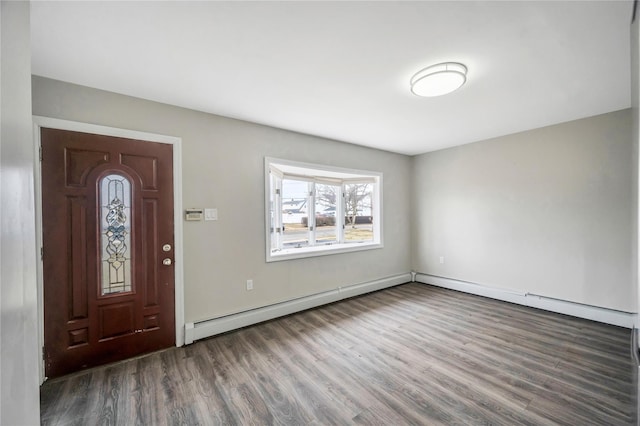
point(19, 394)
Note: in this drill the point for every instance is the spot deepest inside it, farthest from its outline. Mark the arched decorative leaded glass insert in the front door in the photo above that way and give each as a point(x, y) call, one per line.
point(115, 234)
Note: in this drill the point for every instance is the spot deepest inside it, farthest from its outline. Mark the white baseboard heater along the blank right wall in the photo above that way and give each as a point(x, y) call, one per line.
point(594, 313)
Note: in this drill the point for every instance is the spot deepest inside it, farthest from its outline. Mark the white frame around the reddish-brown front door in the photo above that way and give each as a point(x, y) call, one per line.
point(54, 123)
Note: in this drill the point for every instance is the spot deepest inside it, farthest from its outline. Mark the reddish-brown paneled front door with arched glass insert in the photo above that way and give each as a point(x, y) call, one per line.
point(108, 249)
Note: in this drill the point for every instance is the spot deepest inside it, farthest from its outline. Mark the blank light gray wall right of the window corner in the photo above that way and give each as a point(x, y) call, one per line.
point(548, 211)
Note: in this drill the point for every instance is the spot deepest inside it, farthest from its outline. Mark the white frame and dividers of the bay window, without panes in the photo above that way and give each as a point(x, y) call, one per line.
point(275, 170)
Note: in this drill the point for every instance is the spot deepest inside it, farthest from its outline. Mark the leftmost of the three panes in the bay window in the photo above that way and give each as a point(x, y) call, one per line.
point(295, 198)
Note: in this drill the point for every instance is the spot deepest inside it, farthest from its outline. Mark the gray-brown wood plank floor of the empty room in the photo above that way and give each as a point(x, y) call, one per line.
point(412, 354)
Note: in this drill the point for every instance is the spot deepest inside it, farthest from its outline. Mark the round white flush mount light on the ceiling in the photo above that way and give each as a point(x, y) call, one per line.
point(439, 79)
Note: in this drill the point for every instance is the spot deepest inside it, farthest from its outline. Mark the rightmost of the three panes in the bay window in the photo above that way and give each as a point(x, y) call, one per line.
point(358, 212)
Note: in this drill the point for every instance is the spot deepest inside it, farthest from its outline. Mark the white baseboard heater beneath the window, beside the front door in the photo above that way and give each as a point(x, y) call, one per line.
point(208, 328)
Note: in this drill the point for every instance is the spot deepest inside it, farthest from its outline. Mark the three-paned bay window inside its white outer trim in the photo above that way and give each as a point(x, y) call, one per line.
point(315, 210)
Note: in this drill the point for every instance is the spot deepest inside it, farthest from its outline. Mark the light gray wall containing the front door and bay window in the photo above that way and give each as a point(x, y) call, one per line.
point(223, 163)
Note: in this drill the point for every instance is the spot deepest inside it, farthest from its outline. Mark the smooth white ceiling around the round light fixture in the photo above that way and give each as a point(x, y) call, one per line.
point(341, 69)
